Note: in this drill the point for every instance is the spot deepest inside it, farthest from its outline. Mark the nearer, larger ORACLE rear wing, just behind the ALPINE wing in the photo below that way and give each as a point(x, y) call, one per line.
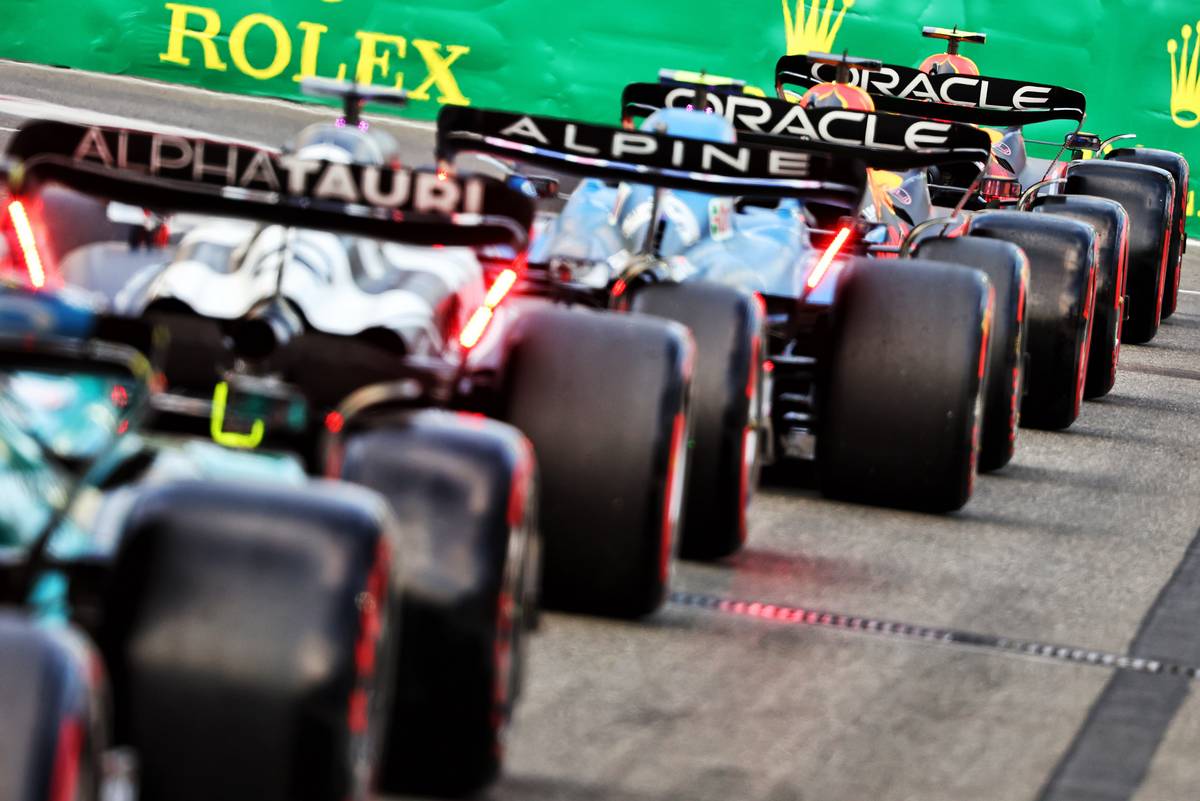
point(881, 141)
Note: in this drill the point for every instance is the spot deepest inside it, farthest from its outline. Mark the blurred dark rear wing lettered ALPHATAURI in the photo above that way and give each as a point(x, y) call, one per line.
point(188, 174)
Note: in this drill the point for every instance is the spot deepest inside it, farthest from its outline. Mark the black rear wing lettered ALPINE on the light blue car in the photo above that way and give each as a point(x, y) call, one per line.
point(776, 170)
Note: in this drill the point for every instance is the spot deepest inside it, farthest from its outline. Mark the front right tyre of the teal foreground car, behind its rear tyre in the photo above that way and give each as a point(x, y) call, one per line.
point(464, 492)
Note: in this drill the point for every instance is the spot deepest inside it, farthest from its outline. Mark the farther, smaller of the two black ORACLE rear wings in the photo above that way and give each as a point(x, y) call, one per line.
point(977, 100)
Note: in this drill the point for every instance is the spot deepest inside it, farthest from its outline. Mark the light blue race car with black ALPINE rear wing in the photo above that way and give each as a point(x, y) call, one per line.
point(874, 371)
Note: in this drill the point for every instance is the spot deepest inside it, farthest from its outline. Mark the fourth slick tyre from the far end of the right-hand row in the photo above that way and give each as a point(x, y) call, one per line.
point(1060, 310)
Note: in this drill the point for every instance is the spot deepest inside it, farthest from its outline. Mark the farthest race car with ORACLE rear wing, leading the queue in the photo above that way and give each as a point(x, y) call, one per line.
point(950, 87)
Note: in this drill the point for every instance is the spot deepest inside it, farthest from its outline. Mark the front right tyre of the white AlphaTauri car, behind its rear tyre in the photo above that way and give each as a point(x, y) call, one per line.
point(727, 409)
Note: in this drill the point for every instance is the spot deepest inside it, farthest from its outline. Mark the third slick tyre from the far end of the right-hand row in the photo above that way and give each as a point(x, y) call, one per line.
point(1112, 225)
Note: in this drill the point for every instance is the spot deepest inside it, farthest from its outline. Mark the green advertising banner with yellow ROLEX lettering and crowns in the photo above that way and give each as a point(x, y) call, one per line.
point(1136, 62)
